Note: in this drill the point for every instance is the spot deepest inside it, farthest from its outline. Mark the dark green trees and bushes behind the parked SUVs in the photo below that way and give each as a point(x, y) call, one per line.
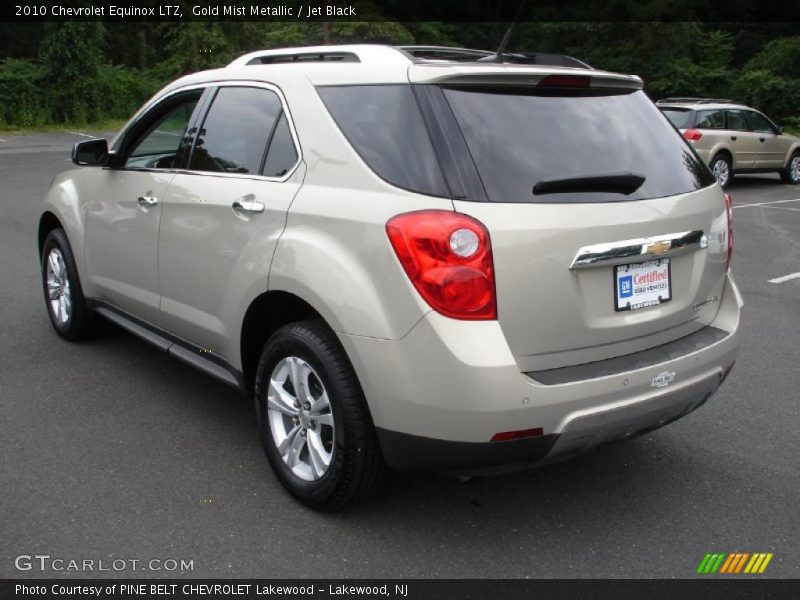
point(73, 72)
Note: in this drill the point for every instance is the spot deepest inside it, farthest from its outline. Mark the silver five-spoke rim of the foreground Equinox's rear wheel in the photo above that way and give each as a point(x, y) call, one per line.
point(300, 418)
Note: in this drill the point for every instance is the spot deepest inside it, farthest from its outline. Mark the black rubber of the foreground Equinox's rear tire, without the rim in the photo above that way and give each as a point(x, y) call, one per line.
point(356, 467)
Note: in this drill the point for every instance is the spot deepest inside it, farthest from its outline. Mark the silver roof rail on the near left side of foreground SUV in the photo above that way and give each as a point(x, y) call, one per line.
point(362, 53)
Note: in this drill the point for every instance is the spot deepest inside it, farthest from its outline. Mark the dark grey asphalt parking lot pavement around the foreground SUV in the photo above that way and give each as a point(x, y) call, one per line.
point(111, 451)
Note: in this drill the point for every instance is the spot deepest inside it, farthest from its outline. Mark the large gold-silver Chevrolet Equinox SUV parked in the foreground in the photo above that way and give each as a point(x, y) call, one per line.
point(444, 264)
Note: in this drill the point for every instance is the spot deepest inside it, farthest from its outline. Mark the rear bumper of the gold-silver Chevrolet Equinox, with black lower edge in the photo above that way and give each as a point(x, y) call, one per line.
point(440, 394)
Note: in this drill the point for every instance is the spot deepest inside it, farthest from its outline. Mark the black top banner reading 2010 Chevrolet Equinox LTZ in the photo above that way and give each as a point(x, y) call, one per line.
point(398, 10)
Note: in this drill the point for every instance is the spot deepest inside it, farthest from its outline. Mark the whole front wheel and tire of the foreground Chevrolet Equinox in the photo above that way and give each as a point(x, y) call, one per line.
point(67, 308)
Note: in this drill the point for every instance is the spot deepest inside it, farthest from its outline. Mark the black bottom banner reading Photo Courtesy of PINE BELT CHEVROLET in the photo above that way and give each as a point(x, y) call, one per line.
point(465, 589)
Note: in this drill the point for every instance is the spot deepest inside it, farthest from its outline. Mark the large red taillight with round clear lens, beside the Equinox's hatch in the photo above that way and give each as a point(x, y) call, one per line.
point(448, 257)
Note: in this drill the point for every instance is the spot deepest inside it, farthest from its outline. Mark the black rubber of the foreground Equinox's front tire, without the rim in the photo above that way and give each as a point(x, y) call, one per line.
point(80, 322)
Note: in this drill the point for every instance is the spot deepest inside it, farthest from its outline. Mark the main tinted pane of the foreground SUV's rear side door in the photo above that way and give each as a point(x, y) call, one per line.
point(234, 135)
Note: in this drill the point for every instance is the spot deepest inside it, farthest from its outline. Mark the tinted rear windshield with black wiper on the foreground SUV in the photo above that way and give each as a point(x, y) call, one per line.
point(519, 139)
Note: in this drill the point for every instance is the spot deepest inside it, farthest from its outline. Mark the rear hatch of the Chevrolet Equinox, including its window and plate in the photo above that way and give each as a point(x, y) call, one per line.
point(621, 247)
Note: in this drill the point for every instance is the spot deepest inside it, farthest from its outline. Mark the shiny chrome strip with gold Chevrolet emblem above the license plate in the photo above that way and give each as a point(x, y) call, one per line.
point(639, 249)
